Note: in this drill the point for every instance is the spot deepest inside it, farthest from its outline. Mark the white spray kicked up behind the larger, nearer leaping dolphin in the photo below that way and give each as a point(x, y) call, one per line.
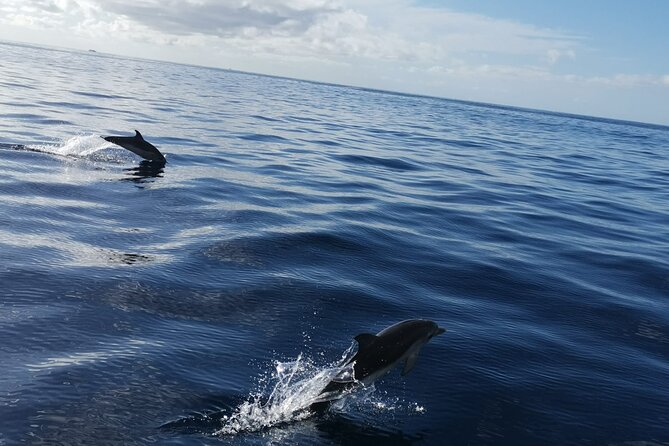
point(296, 385)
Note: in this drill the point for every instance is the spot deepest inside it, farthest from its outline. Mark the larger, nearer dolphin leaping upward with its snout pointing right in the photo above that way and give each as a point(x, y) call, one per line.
point(377, 355)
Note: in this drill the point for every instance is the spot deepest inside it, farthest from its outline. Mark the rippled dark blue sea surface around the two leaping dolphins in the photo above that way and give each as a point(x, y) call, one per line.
point(146, 304)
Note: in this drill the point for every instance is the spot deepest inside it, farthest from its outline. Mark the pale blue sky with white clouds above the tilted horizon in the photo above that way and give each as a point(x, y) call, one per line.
point(591, 57)
